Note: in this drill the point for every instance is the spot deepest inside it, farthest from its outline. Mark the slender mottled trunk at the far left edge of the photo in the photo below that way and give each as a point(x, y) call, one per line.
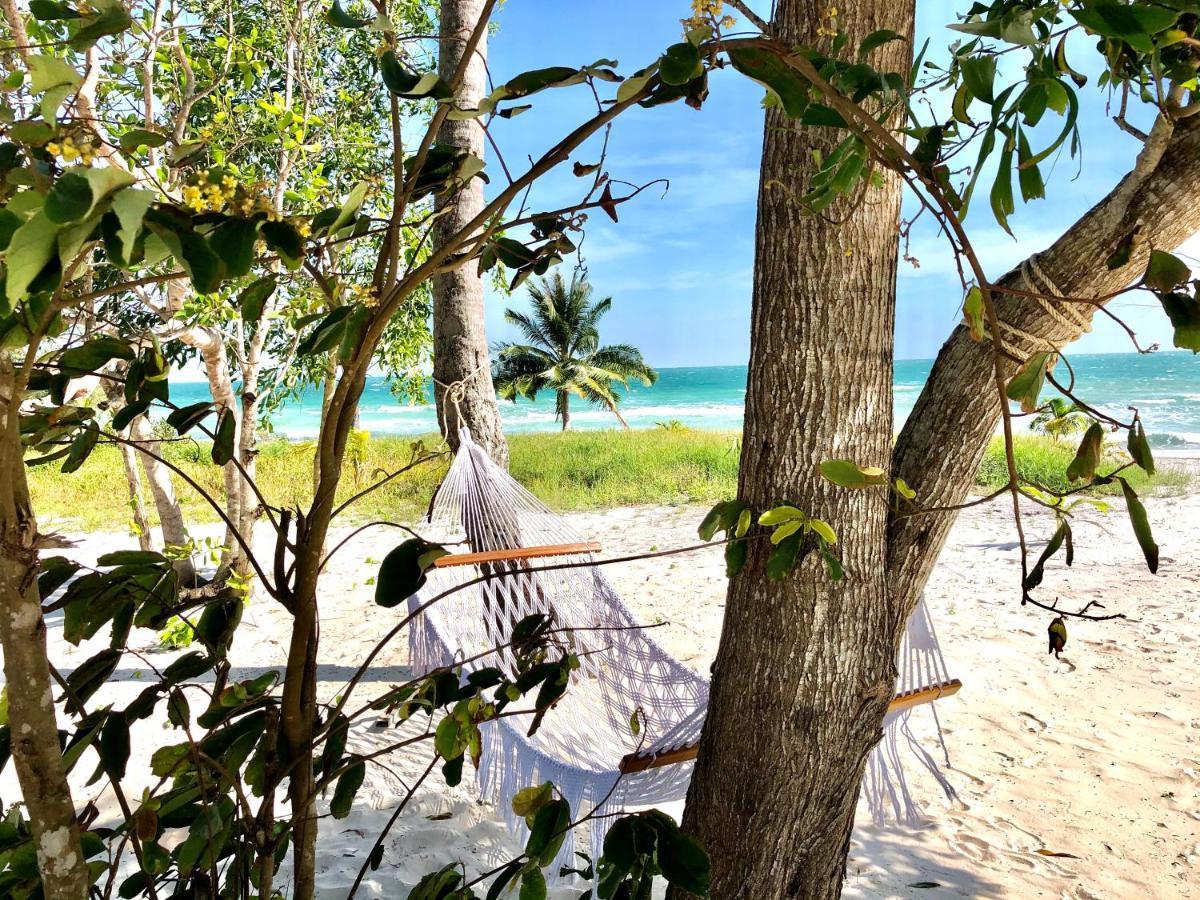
point(35, 736)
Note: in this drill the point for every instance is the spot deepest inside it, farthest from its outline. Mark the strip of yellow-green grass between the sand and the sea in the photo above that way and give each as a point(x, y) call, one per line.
point(569, 472)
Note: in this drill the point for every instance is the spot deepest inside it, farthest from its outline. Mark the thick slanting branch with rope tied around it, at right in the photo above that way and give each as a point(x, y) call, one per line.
point(945, 437)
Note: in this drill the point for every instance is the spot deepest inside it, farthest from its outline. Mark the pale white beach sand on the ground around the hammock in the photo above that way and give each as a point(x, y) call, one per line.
point(1096, 755)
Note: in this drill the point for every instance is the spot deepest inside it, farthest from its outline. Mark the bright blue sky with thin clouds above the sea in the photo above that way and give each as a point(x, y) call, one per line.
point(679, 266)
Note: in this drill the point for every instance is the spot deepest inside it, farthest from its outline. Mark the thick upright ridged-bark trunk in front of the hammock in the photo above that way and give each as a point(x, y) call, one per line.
point(805, 669)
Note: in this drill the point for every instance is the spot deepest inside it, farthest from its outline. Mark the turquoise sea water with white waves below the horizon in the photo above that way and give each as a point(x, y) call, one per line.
point(1166, 387)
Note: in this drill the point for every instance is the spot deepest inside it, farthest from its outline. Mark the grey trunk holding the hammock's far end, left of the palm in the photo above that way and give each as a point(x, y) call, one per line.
point(463, 369)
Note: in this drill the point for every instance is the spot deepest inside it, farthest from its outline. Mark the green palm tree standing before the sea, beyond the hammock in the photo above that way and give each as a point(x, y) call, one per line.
point(563, 353)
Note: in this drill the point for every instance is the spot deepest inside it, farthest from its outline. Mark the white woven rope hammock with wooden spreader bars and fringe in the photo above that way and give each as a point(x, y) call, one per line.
point(589, 751)
